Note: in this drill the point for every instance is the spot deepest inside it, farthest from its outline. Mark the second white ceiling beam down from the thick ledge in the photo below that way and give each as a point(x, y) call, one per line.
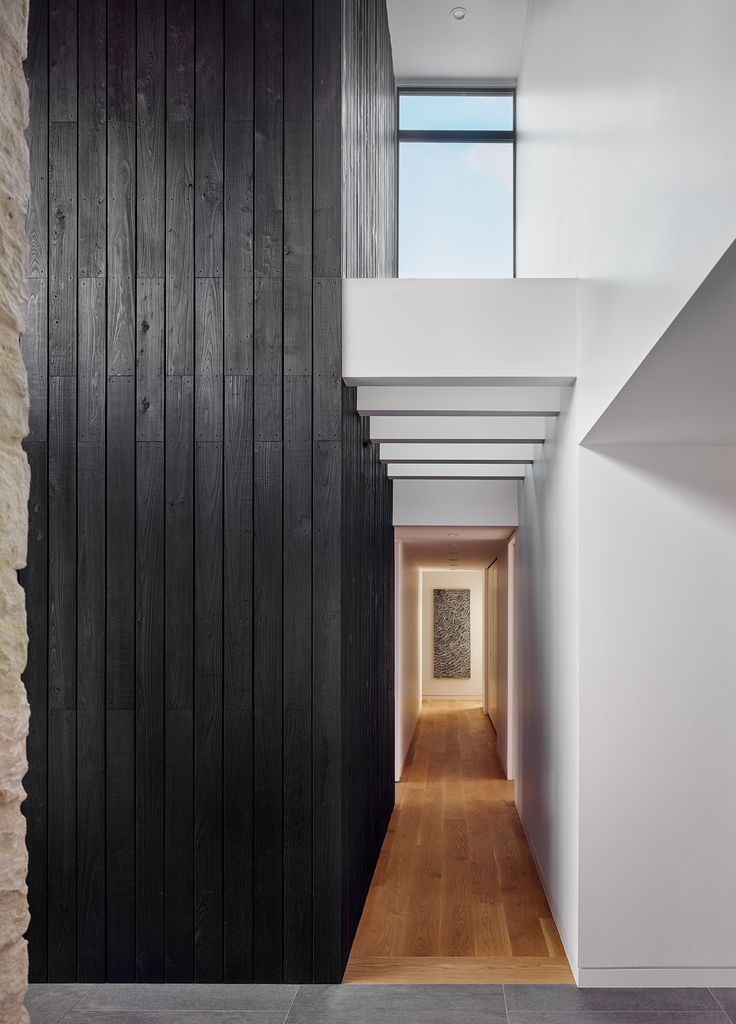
point(511, 430)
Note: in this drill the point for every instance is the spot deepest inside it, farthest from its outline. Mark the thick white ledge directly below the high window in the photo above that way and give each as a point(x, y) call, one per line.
point(518, 332)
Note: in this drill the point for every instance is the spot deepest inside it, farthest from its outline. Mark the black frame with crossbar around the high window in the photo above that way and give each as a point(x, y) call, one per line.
point(450, 136)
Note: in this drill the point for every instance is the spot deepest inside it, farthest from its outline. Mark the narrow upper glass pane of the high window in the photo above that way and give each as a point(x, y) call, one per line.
point(457, 113)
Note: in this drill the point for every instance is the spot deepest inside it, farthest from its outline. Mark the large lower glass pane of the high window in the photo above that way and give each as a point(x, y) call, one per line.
point(457, 210)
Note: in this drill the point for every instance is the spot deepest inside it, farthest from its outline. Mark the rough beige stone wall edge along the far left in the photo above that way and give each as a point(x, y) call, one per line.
point(15, 479)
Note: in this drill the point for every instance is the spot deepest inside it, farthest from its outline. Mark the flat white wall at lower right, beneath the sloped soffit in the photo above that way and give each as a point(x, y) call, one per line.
point(658, 713)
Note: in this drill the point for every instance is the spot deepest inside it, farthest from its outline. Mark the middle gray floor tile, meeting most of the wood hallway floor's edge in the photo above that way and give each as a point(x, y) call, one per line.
point(388, 1004)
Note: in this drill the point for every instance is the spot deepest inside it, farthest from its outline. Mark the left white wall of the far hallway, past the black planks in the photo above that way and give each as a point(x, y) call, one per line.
point(408, 687)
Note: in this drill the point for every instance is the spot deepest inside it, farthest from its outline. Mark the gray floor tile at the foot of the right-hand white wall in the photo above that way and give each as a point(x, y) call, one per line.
point(533, 999)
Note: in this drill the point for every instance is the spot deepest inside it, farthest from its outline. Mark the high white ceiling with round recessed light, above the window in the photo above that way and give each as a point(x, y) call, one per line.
point(430, 48)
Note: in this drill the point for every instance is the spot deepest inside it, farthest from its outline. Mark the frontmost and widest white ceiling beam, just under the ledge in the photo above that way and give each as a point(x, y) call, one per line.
point(459, 401)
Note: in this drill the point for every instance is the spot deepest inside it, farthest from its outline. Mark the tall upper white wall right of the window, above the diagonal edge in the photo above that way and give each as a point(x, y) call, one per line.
point(626, 167)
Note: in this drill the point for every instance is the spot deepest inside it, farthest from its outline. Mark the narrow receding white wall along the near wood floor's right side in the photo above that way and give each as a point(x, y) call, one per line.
point(546, 660)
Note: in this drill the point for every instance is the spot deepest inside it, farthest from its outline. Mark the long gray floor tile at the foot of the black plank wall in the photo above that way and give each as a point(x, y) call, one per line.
point(149, 999)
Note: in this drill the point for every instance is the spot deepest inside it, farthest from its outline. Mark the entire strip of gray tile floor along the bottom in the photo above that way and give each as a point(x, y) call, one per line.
point(377, 1005)
